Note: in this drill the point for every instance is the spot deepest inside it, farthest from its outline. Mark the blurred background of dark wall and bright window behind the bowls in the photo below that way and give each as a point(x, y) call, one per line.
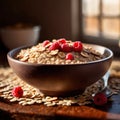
point(91, 21)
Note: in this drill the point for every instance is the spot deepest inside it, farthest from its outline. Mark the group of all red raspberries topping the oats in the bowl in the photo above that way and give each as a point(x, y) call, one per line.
point(64, 46)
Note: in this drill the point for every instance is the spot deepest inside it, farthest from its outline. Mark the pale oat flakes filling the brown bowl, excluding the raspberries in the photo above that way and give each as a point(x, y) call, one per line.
point(43, 55)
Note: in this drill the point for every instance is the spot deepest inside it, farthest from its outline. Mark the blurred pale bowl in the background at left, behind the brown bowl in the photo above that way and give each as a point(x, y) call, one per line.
point(20, 34)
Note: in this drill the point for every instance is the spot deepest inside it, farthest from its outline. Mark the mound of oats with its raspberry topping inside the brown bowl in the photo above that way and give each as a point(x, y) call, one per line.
point(59, 51)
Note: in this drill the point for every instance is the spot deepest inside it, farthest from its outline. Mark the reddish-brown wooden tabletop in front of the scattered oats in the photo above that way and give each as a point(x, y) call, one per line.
point(41, 112)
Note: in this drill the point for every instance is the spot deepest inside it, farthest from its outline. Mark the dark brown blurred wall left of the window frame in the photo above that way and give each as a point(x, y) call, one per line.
point(54, 16)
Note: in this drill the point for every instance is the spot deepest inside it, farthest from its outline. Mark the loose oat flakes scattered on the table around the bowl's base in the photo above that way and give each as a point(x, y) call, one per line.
point(8, 80)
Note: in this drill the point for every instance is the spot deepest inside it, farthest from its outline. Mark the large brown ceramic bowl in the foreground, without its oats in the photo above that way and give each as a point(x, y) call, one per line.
point(61, 80)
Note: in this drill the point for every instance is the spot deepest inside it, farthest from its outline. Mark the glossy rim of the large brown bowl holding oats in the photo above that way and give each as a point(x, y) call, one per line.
point(9, 56)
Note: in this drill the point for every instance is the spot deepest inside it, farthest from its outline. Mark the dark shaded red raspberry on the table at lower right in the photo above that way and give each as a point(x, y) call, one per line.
point(100, 99)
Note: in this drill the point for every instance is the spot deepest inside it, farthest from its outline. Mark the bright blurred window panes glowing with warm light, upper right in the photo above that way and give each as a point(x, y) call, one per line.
point(101, 18)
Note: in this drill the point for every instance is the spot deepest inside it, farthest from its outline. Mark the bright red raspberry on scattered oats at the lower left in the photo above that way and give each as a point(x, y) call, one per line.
point(17, 92)
